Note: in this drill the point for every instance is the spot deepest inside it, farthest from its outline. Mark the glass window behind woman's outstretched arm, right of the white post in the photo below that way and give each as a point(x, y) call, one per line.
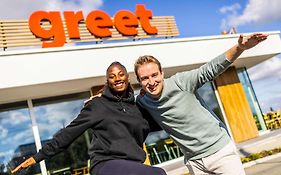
point(53, 114)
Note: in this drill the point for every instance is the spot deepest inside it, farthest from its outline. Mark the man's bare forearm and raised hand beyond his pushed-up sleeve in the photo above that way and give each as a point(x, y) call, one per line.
point(244, 43)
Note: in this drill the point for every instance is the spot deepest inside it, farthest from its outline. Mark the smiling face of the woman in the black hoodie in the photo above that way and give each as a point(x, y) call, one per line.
point(117, 78)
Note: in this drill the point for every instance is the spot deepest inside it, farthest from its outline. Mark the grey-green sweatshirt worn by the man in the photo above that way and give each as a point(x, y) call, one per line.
point(179, 112)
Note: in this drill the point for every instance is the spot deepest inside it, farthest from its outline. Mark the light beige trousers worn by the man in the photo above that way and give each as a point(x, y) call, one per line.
point(226, 162)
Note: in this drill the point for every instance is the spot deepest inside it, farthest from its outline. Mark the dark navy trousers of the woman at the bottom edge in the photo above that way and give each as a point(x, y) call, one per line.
point(125, 167)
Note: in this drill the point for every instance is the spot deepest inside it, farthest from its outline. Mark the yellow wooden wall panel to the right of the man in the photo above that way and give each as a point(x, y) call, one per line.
point(236, 106)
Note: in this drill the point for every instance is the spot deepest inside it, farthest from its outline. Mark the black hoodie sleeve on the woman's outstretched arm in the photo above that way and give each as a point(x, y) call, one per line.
point(62, 139)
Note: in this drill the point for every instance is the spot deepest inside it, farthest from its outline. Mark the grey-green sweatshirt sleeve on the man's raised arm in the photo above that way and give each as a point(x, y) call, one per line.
point(192, 80)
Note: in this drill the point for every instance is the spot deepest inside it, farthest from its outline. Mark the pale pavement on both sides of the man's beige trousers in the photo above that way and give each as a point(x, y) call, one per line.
point(270, 165)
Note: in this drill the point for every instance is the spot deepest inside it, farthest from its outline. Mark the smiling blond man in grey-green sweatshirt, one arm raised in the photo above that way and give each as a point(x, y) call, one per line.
point(174, 105)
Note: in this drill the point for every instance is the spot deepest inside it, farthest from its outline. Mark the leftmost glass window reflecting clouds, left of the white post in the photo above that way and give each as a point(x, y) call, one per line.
point(16, 138)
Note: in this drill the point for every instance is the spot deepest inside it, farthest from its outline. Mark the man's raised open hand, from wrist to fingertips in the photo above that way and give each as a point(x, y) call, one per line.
point(251, 41)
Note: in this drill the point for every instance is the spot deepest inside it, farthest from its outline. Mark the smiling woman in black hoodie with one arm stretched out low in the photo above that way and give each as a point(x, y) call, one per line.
point(118, 126)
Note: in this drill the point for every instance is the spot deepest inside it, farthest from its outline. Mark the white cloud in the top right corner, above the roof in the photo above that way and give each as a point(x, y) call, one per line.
point(256, 11)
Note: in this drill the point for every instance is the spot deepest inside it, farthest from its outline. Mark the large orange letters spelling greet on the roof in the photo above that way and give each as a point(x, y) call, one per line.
point(97, 22)
